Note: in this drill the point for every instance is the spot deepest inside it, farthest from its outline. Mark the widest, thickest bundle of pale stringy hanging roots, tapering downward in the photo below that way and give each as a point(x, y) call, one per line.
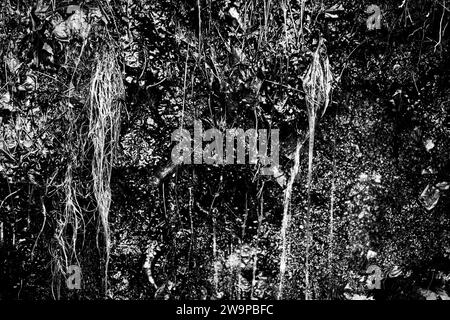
point(106, 94)
